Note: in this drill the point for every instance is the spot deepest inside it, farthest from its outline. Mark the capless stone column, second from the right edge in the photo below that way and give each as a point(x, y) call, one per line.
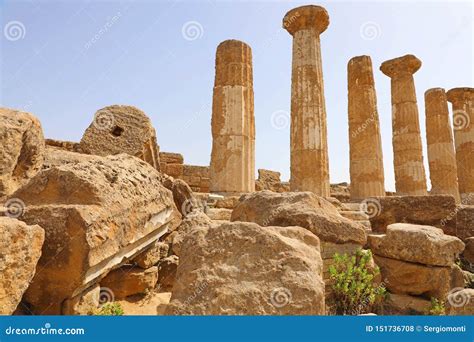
point(439, 137)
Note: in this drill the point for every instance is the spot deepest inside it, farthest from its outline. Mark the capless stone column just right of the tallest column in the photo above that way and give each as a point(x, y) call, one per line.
point(366, 160)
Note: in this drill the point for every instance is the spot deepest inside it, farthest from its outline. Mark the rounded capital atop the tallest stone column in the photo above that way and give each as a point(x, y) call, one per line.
point(306, 17)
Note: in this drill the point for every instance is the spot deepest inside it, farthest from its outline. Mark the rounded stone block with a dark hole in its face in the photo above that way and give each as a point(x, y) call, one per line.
point(122, 129)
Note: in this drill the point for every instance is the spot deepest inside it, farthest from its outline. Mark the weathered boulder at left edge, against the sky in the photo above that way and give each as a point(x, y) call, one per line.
point(22, 149)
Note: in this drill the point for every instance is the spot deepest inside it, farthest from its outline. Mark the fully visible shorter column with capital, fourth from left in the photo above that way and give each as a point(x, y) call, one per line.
point(410, 178)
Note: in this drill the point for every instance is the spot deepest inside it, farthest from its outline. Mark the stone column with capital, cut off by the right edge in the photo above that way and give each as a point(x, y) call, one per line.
point(462, 100)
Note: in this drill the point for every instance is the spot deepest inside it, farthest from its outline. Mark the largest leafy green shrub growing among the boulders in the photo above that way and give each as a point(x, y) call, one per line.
point(353, 285)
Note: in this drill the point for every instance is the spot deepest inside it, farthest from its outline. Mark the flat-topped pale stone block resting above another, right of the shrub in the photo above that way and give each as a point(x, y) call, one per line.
point(415, 243)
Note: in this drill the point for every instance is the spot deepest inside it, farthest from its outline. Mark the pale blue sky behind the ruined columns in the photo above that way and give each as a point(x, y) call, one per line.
point(63, 60)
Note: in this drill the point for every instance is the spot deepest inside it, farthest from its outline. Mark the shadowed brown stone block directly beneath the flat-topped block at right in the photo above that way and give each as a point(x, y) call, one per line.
point(403, 277)
